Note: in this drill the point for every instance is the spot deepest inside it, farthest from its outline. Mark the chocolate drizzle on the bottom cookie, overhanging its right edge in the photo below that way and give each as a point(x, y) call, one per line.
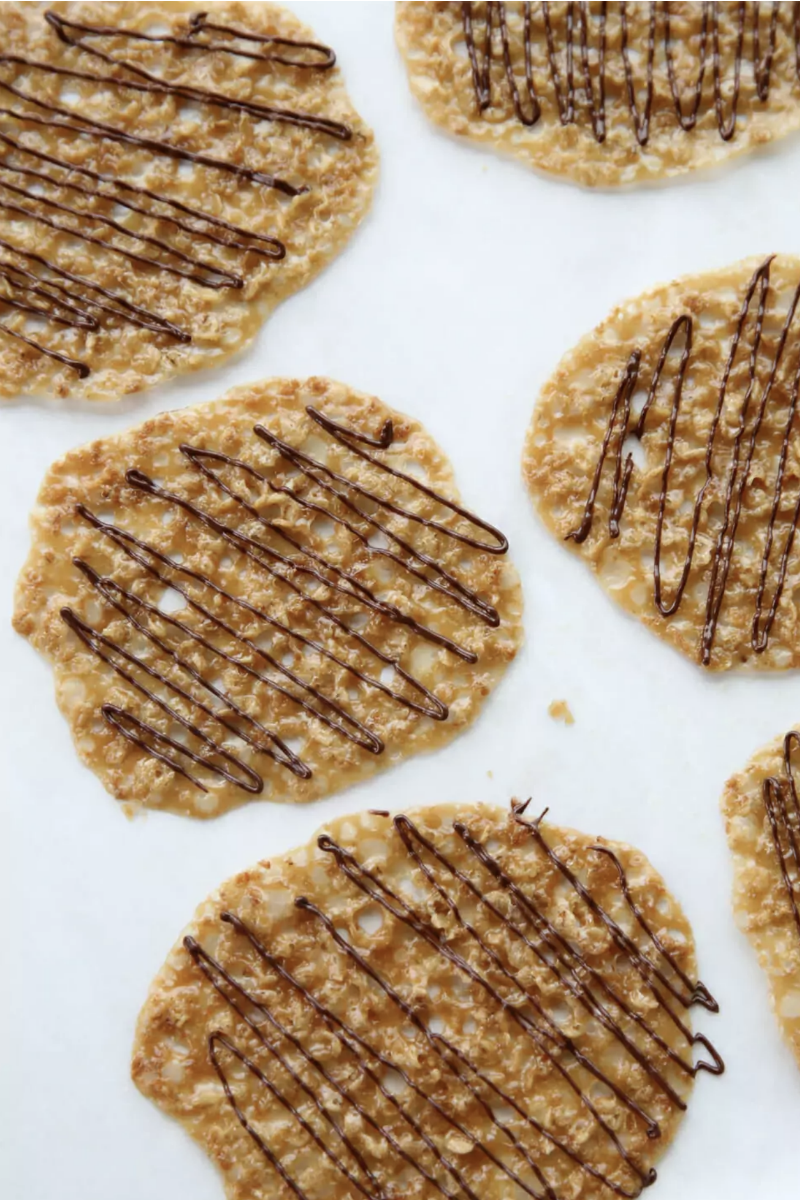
point(471, 1095)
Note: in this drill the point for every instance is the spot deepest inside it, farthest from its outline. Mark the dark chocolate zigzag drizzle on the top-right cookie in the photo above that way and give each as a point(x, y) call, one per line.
point(593, 85)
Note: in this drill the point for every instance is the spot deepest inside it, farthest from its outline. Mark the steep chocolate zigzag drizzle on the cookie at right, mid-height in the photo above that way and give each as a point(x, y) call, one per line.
point(742, 455)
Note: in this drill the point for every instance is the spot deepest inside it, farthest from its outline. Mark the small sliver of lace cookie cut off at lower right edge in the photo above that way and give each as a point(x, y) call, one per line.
point(762, 812)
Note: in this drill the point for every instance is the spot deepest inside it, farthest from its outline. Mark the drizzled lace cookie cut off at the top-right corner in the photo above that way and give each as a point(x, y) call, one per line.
point(607, 94)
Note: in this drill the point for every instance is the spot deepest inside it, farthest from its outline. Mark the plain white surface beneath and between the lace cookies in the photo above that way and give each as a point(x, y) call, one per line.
point(454, 303)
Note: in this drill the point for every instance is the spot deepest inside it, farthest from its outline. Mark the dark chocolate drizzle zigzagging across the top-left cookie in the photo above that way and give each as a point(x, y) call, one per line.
point(40, 188)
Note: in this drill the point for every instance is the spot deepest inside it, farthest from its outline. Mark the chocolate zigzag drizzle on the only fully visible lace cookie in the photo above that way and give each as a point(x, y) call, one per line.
point(202, 597)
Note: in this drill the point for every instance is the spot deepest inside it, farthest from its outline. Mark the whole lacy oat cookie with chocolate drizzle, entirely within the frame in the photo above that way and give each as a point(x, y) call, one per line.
point(269, 597)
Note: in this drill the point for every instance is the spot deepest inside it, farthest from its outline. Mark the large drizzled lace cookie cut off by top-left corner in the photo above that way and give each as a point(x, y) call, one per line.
point(171, 172)
